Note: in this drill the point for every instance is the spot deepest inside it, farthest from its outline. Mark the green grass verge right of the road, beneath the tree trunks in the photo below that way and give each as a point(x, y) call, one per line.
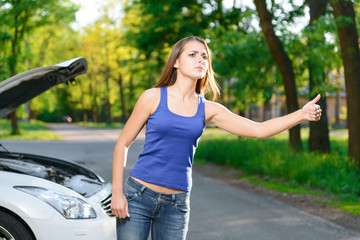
point(272, 164)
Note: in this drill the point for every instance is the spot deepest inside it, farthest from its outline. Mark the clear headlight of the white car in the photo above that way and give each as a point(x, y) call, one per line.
point(70, 207)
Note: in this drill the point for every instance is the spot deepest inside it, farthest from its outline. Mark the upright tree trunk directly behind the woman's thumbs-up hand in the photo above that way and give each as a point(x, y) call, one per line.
point(319, 131)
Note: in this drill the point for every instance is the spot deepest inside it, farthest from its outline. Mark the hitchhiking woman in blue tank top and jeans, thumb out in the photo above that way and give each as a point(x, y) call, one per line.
point(156, 195)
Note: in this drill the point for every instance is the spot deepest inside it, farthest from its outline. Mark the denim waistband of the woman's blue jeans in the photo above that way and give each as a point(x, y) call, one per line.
point(183, 196)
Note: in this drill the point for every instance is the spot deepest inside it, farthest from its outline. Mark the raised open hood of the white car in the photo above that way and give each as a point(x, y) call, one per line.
point(27, 85)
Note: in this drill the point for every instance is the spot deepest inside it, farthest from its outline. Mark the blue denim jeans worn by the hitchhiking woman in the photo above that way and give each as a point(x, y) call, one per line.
point(166, 215)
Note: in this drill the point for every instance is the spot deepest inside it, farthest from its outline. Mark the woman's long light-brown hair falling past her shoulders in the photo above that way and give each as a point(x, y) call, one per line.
point(169, 74)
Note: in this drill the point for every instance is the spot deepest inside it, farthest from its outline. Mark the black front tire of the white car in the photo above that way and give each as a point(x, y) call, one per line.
point(12, 229)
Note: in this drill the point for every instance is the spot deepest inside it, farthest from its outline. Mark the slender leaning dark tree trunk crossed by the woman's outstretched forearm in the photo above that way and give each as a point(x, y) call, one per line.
point(285, 66)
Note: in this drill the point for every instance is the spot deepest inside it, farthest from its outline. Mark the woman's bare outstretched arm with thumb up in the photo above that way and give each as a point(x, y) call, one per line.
point(219, 116)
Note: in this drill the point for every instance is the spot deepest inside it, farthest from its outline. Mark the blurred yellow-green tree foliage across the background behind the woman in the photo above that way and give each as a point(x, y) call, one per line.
point(126, 54)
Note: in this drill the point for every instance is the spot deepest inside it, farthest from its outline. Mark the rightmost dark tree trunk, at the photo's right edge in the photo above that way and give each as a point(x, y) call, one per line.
point(343, 11)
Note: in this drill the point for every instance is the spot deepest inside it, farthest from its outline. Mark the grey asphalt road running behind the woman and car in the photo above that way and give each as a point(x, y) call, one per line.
point(218, 211)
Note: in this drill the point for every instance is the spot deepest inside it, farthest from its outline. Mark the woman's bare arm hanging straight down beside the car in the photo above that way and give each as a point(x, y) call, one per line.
point(144, 107)
